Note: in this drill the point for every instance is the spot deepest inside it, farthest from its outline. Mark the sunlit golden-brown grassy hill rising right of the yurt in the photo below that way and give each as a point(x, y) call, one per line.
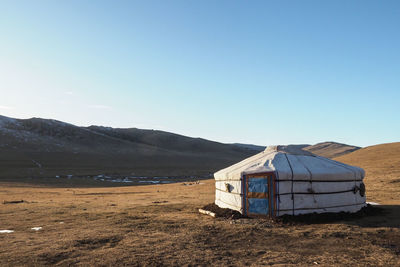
point(382, 166)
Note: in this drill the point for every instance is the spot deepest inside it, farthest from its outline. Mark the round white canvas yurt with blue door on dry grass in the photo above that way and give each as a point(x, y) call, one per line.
point(288, 180)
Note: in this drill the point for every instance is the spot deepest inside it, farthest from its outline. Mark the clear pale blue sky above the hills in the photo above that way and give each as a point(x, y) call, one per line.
point(263, 72)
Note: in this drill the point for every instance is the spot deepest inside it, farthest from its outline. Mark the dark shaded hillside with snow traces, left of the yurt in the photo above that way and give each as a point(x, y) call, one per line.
point(41, 147)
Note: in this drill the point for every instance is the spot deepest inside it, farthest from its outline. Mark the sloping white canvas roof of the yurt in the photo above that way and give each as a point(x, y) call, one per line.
point(291, 163)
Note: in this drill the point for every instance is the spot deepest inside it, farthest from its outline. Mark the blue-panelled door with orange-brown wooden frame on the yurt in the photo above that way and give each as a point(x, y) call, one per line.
point(259, 194)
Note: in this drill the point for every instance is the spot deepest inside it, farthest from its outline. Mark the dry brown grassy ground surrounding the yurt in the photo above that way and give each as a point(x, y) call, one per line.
point(160, 225)
